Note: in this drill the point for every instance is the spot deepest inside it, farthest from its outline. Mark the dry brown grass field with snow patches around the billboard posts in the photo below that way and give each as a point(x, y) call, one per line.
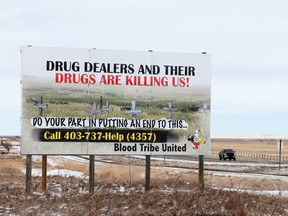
point(119, 188)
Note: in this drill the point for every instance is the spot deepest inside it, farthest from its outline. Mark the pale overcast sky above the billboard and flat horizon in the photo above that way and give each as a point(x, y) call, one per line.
point(248, 41)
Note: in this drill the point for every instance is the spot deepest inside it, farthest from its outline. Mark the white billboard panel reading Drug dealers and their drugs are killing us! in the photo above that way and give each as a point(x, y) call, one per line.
point(90, 101)
